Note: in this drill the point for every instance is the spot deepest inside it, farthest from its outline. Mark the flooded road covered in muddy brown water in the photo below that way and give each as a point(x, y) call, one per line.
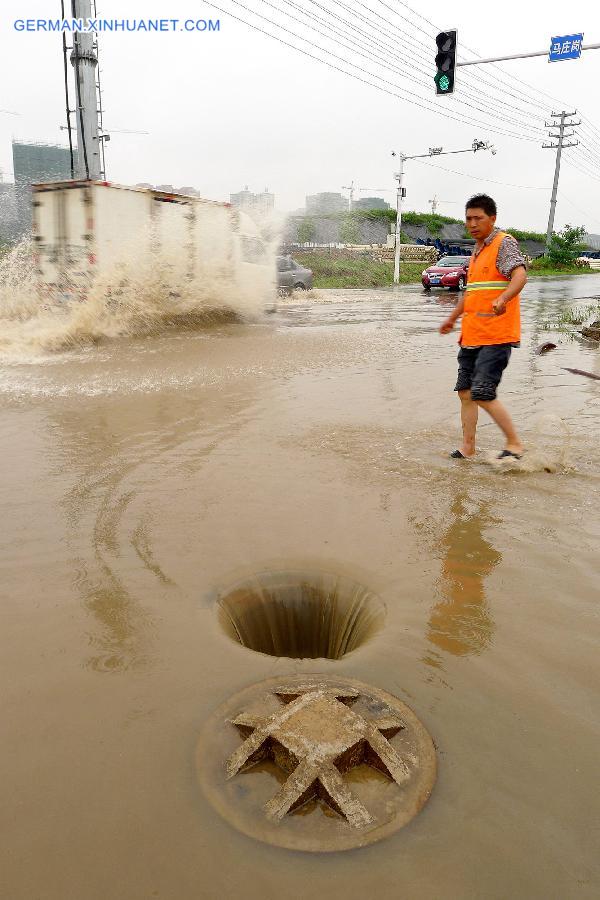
point(145, 475)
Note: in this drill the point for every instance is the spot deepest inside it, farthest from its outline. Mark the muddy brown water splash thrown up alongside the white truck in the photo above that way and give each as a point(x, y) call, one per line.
point(142, 293)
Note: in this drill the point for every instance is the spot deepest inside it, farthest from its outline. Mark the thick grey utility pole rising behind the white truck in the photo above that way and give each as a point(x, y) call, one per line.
point(84, 63)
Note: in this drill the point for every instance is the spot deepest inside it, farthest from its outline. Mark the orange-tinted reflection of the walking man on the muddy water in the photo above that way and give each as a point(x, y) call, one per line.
point(461, 623)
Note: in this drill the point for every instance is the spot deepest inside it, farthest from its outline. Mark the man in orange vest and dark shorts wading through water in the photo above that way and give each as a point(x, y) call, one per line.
point(490, 327)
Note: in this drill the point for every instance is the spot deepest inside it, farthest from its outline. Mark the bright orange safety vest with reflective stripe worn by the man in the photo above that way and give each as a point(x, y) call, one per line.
point(480, 325)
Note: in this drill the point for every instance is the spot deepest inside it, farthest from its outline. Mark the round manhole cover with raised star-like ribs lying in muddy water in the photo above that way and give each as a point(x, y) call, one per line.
point(315, 763)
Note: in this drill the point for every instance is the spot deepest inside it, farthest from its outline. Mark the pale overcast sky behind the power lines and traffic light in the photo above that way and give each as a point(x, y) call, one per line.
point(237, 107)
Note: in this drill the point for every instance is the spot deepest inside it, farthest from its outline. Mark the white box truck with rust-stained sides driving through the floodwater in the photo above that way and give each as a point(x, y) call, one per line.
point(92, 236)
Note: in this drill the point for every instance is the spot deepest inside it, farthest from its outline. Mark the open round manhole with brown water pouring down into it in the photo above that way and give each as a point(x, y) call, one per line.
point(300, 615)
